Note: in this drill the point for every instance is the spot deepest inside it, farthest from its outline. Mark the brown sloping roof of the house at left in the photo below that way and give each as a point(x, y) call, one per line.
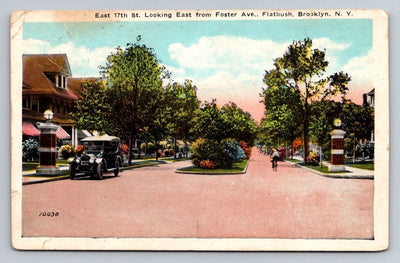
point(36, 82)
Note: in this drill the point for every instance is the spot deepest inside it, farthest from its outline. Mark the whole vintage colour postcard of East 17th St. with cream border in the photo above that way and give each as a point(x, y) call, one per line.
point(233, 130)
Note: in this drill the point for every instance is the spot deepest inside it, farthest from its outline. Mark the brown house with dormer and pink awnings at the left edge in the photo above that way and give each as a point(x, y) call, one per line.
point(45, 86)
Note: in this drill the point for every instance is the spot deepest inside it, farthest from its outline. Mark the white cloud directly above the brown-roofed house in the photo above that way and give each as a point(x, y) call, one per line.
point(83, 61)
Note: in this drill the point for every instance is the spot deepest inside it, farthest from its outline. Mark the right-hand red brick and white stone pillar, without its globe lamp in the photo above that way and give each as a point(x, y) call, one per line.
point(337, 151)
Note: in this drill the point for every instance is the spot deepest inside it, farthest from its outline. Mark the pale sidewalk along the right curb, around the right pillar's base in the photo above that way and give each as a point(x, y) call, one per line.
point(351, 172)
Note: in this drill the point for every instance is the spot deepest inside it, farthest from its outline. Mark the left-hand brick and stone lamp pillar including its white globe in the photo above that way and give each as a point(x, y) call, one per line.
point(48, 144)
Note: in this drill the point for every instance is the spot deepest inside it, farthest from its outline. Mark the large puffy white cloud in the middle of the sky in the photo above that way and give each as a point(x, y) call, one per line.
point(236, 54)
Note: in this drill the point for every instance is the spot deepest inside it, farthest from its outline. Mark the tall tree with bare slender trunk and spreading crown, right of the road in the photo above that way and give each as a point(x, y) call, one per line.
point(302, 68)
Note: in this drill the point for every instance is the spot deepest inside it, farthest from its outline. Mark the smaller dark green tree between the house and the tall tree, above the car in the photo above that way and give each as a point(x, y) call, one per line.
point(93, 110)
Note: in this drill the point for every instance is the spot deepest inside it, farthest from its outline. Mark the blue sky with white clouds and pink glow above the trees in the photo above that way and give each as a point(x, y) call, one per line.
point(225, 59)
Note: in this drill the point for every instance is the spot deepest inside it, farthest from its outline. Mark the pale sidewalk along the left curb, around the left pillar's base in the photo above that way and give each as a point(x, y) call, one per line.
point(30, 177)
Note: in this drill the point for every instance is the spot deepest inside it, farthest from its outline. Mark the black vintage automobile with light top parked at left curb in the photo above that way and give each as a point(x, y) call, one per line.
point(101, 154)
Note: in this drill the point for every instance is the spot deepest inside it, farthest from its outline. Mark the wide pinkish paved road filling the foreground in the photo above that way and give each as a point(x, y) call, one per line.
point(157, 202)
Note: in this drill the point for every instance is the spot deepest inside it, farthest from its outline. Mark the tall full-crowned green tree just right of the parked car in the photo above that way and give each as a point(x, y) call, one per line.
point(134, 78)
